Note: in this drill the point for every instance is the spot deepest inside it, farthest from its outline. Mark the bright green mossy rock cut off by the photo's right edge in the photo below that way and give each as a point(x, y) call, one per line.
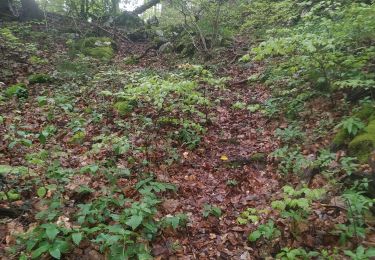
point(363, 144)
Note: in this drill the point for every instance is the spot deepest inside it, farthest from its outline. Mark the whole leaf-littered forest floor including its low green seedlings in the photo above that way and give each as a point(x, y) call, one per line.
point(84, 161)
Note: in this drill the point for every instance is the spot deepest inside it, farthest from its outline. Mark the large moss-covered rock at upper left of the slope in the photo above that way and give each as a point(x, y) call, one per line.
point(96, 47)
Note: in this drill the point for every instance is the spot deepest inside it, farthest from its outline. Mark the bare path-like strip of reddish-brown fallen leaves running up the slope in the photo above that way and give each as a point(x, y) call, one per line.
point(225, 153)
